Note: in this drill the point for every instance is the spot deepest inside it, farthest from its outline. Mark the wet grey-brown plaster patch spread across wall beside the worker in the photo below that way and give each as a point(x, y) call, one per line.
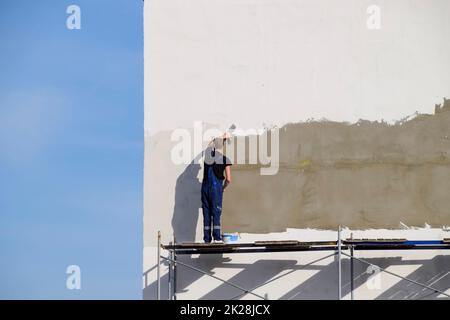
point(361, 175)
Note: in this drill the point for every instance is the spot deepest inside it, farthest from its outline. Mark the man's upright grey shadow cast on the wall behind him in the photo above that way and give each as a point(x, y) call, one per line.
point(187, 203)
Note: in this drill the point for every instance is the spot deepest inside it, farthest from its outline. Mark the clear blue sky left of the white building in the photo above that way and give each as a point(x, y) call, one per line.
point(71, 149)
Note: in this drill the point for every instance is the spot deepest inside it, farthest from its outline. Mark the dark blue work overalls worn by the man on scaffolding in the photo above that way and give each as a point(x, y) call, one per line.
point(211, 205)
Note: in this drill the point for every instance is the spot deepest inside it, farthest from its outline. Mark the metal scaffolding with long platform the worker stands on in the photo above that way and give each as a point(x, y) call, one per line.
point(339, 247)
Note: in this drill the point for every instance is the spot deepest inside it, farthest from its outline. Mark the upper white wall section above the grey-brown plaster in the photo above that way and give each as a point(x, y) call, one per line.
point(259, 61)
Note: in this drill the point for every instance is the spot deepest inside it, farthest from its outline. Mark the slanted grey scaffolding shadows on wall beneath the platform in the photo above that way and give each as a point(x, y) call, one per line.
point(322, 285)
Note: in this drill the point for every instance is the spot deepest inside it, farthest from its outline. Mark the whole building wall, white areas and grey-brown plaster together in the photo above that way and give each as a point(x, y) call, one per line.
point(282, 63)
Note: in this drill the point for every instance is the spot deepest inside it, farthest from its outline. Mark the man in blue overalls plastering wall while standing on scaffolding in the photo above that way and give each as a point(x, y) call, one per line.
point(214, 182)
